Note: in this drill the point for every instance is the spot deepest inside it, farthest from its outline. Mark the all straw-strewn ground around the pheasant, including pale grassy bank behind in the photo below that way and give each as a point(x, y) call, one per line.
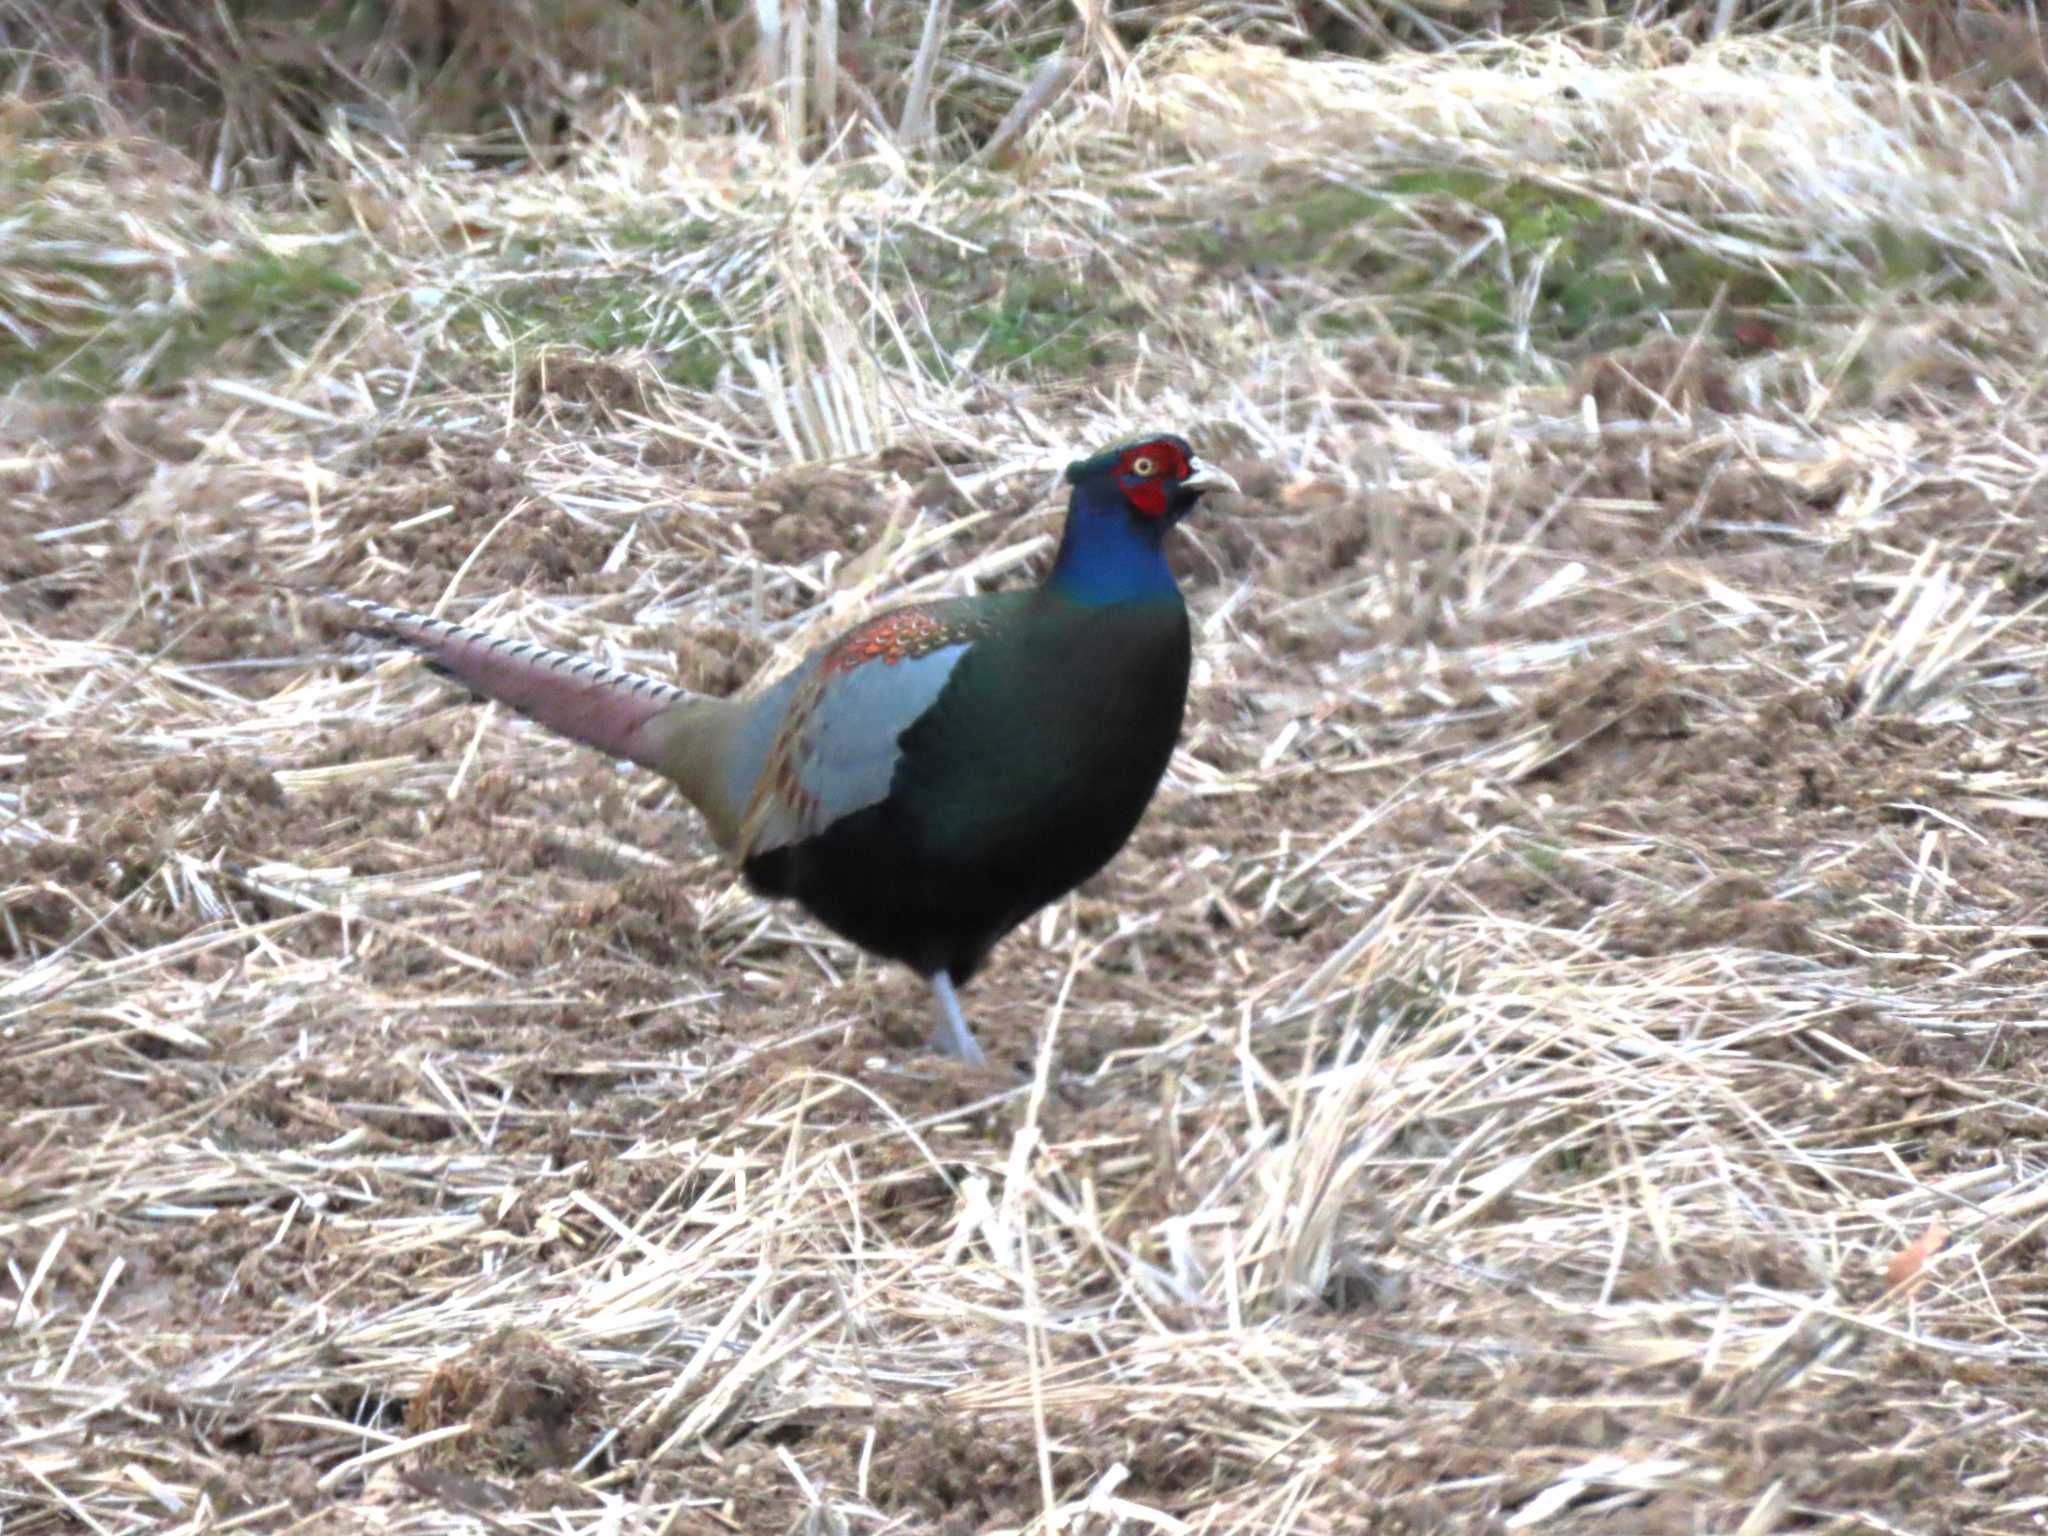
point(1560, 1056)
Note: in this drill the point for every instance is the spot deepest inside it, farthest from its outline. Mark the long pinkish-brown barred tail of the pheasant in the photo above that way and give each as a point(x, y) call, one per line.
point(583, 699)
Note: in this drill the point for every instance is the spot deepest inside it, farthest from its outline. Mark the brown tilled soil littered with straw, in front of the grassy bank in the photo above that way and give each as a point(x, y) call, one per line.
point(1596, 925)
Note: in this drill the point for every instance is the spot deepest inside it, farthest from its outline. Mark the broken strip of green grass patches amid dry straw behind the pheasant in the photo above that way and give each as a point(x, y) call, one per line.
point(1478, 271)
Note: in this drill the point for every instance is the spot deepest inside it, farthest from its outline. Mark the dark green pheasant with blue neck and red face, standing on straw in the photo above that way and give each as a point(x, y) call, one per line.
point(939, 773)
